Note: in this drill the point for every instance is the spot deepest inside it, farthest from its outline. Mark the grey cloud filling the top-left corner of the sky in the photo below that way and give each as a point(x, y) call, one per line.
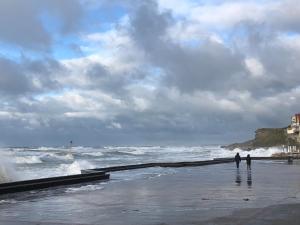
point(21, 23)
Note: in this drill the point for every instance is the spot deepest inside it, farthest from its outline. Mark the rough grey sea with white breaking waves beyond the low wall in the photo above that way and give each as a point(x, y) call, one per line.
point(24, 163)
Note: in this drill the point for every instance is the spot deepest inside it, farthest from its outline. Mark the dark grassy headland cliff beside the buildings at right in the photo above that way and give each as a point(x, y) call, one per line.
point(265, 138)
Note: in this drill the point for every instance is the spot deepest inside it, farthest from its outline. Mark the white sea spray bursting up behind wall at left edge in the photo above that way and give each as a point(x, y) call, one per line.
point(7, 170)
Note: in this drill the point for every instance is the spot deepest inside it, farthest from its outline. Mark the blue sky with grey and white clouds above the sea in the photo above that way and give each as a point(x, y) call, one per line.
point(146, 72)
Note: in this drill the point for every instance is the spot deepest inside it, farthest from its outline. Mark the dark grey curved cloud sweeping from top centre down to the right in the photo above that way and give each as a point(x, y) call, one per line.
point(207, 67)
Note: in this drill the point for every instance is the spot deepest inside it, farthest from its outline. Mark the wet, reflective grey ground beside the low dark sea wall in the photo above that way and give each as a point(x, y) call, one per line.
point(215, 194)
